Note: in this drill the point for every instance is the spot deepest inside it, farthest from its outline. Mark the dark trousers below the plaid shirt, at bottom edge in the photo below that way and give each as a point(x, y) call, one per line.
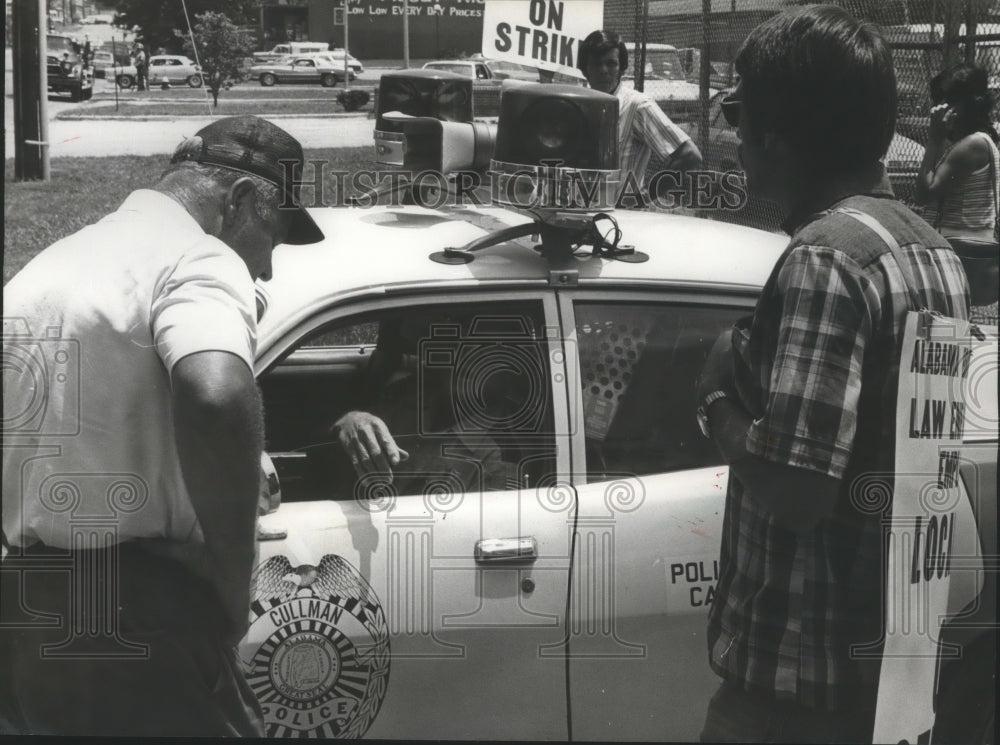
point(736, 715)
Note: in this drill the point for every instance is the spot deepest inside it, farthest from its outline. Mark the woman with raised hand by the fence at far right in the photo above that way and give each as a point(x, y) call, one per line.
point(958, 180)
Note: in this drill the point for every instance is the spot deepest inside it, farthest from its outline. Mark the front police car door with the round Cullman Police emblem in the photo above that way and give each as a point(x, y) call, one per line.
point(431, 607)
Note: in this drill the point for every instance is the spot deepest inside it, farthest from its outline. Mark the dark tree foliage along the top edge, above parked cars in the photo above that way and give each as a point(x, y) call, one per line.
point(157, 19)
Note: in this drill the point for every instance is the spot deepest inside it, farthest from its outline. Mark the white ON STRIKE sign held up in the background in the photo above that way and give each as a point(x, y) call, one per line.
point(540, 33)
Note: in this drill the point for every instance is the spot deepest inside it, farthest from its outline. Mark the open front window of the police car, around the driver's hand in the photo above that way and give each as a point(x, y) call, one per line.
point(463, 388)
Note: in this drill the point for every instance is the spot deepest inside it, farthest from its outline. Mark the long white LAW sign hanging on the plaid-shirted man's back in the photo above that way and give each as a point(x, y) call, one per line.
point(947, 395)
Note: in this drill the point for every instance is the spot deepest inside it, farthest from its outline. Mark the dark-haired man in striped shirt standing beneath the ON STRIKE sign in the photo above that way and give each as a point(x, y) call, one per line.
point(643, 128)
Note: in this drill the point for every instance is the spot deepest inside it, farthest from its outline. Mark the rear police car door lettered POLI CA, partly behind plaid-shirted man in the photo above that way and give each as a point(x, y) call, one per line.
point(651, 495)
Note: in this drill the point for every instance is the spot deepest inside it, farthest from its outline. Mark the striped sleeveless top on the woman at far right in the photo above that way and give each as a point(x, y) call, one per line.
point(969, 209)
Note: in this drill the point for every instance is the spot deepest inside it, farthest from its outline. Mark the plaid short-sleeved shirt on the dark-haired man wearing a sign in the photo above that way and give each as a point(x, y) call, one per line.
point(818, 374)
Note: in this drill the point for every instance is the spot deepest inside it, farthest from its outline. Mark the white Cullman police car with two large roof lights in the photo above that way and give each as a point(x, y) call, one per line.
point(541, 565)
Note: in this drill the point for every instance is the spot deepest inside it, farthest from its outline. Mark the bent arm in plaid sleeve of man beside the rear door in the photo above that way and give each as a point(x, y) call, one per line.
point(818, 368)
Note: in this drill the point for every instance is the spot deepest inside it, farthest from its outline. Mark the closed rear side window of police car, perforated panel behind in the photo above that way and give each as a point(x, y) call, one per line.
point(639, 363)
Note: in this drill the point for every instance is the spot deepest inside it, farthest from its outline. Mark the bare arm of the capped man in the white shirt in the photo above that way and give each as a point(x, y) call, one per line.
point(219, 432)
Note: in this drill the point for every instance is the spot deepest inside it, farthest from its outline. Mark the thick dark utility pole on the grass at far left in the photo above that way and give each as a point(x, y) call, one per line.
point(31, 115)
